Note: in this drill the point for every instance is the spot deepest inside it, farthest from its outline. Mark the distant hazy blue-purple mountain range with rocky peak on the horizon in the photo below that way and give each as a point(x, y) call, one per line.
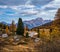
point(32, 23)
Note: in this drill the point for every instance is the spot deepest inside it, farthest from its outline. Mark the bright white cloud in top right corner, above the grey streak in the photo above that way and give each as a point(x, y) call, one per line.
point(53, 4)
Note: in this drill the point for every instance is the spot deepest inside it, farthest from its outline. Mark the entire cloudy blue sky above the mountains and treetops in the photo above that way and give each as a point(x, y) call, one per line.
point(27, 9)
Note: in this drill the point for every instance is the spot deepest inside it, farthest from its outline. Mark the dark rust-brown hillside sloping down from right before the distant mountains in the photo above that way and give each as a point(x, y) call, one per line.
point(51, 25)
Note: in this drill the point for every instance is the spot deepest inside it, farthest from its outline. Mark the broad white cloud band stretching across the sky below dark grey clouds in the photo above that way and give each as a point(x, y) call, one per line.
point(30, 9)
